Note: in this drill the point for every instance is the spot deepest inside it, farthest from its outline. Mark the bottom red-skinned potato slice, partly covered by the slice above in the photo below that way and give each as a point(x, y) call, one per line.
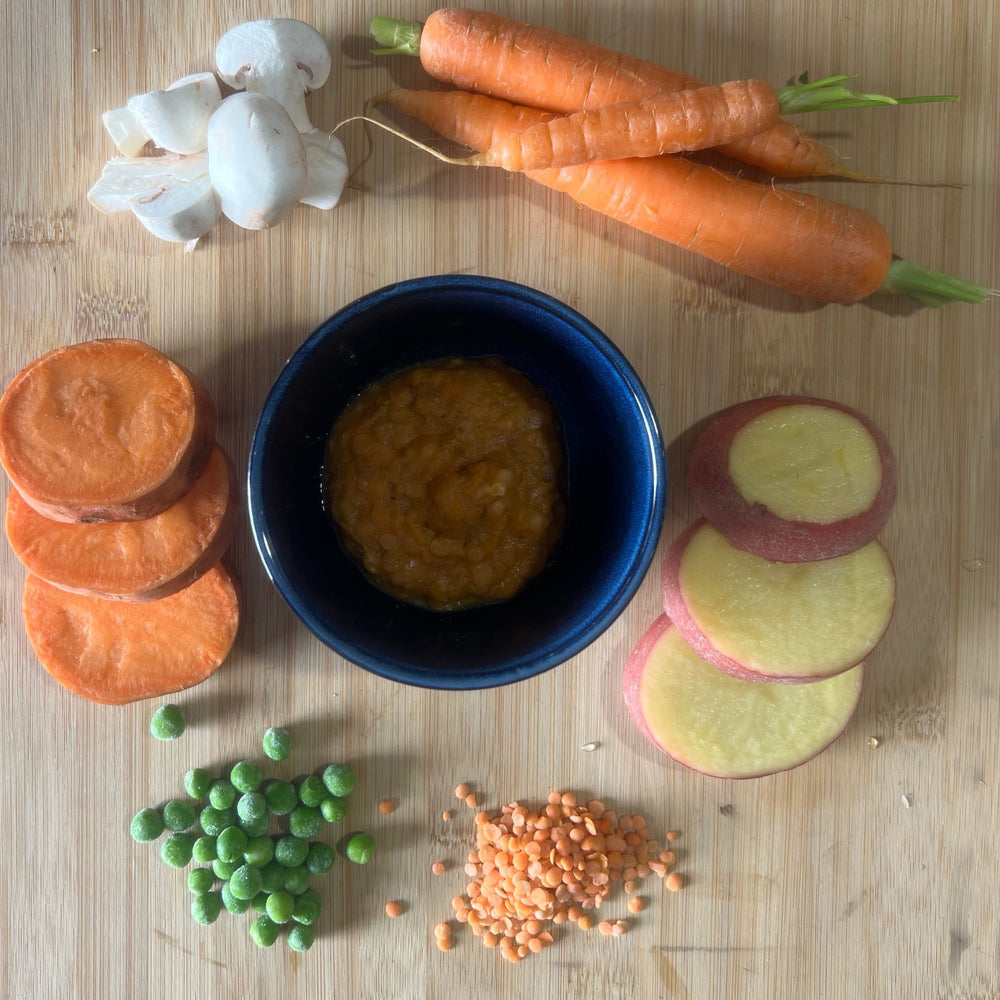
point(726, 727)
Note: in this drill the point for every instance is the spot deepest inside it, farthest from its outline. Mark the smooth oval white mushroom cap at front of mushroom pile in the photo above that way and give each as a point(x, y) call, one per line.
point(256, 160)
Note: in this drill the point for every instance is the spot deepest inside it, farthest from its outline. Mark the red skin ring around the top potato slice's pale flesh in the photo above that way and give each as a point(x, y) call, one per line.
point(754, 528)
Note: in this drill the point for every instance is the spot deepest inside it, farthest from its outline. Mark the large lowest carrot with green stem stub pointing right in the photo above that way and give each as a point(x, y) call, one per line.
point(810, 246)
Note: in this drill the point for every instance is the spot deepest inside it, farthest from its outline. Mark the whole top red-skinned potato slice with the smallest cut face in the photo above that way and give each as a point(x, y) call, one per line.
point(794, 478)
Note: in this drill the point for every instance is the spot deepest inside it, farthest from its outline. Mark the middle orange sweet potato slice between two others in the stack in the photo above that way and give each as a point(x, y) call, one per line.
point(132, 560)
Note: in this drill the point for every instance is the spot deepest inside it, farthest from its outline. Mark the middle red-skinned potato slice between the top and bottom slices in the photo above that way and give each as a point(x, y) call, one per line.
point(763, 620)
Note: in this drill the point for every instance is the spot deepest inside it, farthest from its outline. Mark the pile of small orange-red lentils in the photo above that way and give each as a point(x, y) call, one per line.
point(532, 868)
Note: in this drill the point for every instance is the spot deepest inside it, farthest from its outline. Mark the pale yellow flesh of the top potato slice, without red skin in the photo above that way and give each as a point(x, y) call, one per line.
point(806, 463)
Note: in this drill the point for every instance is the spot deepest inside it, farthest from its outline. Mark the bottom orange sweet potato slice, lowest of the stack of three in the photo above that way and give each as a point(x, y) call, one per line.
point(115, 652)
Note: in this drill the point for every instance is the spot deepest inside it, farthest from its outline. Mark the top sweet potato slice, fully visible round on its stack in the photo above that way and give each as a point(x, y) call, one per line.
point(105, 430)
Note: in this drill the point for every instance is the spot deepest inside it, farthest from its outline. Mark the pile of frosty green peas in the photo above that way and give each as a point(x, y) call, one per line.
point(223, 826)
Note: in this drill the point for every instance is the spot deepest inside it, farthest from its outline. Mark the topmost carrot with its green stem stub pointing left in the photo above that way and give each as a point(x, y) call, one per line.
point(535, 66)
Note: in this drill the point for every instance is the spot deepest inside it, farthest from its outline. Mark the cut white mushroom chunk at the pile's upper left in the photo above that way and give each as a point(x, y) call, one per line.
point(174, 119)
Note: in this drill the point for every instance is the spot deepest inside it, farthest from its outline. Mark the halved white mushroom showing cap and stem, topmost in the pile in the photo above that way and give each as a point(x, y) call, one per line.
point(279, 57)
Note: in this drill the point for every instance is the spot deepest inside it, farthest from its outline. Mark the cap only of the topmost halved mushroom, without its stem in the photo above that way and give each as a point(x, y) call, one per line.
point(273, 44)
